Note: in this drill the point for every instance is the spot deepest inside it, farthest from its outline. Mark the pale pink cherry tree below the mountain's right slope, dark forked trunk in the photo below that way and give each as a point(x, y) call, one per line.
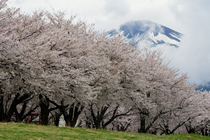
point(161, 91)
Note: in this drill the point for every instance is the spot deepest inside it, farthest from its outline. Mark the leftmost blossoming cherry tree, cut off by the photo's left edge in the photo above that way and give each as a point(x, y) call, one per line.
point(15, 85)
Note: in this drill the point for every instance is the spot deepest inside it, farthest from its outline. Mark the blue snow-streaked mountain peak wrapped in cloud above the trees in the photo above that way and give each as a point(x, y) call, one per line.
point(147, 33)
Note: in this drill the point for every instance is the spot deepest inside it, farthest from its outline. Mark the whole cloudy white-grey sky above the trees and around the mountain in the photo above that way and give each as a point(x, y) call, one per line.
point(190, 17)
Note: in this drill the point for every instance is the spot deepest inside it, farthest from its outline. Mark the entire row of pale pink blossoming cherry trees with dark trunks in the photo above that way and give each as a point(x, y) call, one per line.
point(54, 66)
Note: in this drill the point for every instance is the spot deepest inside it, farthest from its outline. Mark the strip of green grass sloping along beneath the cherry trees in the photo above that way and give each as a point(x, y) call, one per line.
point(19, 131)
